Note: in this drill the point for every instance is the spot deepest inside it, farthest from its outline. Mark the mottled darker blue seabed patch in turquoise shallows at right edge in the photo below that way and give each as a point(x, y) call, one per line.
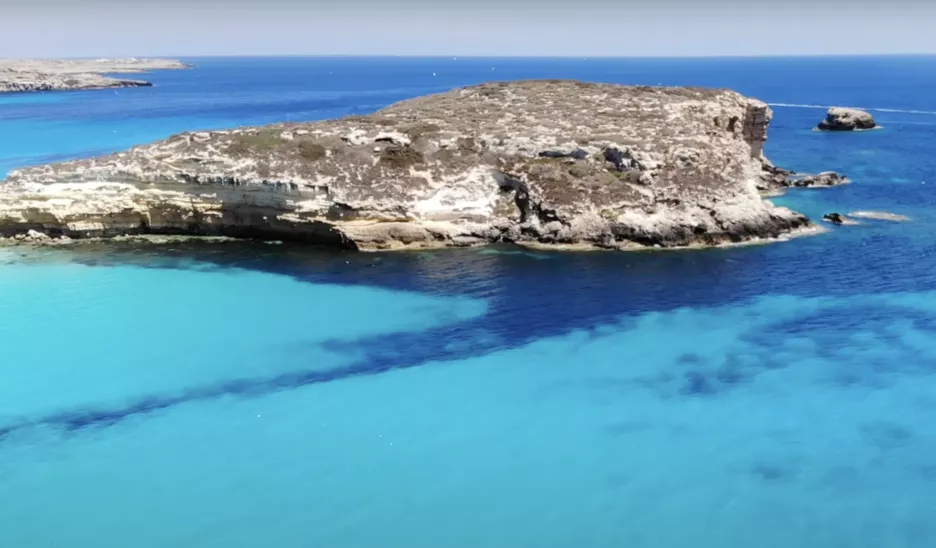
point(866, 344)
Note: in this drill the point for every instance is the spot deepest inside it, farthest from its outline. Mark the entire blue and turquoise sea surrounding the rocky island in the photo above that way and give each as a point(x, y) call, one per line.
point(227, 395)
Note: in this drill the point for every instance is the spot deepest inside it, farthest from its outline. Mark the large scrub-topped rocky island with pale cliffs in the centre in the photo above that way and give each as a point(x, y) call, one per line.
point(545, 162)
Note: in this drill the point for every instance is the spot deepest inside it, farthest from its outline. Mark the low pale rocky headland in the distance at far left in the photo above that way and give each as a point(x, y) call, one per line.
point(24, 75)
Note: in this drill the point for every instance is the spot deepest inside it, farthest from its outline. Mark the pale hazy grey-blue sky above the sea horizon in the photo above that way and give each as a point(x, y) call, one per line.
point(97, 28)
